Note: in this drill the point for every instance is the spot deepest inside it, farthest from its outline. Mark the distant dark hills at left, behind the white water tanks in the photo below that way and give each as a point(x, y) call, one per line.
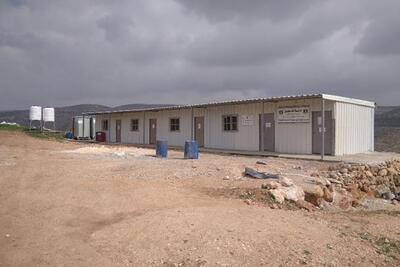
point(64, 114)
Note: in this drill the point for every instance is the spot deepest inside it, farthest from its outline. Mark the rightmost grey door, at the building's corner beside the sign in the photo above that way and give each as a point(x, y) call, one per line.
point(317, 132)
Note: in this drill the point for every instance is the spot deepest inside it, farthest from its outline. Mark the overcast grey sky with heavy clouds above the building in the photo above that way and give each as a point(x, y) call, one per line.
point(190, 51)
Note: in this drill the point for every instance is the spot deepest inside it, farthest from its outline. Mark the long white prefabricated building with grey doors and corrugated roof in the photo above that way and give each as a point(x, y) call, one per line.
point(291, 124)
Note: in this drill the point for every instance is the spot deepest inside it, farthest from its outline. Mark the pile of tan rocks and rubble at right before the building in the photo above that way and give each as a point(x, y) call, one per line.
point(342, 186)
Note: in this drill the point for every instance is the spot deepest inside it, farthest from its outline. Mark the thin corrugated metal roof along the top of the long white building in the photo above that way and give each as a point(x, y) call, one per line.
point(243, 101)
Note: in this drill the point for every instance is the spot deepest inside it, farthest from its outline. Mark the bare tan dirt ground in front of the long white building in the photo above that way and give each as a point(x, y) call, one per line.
point(68, 204)
